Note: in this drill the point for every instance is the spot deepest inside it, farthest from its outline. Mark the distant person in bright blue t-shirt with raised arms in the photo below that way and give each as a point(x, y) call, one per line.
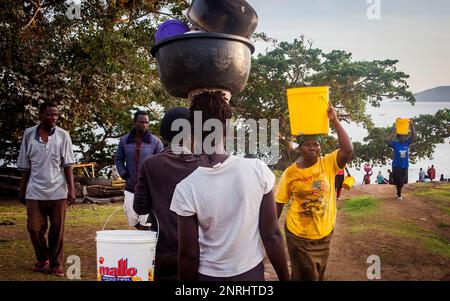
point(400, 162)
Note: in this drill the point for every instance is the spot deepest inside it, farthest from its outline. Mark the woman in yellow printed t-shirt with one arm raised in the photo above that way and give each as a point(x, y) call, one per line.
point(309, 184)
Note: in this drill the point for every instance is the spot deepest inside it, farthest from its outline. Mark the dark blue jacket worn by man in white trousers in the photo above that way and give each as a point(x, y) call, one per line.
point(125, 158)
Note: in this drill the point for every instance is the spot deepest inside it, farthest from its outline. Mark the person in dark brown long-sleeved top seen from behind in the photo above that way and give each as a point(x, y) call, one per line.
point(154, 191)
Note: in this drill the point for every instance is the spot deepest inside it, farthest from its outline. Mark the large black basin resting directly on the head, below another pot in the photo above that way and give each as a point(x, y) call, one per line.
point(199, 60)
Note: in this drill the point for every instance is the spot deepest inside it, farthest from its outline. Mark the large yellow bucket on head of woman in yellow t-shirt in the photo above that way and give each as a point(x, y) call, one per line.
point(308, 109)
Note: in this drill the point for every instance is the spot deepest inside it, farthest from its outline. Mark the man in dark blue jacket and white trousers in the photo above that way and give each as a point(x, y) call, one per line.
point(133, 148)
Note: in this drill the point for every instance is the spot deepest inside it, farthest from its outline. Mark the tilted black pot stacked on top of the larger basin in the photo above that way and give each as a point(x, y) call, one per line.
point(224, 16)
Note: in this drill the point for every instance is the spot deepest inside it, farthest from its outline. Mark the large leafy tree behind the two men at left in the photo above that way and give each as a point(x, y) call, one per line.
point(98, 69)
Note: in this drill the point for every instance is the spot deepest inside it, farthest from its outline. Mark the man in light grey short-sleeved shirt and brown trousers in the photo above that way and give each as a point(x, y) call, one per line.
point(47, 186)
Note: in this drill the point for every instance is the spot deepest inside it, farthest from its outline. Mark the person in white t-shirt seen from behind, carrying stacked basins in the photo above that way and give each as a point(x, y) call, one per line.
point(226, 212)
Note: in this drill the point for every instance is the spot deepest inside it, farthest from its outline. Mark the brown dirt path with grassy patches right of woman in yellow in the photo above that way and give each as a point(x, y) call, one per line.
point(406, 235)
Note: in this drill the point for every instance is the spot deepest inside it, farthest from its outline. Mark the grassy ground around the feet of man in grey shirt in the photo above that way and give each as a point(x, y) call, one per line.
point(81, 223)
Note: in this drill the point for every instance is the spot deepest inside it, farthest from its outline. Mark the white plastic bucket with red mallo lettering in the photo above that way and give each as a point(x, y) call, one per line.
point(126, 255)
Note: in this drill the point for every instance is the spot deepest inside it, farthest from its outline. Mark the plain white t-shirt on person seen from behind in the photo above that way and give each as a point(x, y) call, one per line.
point(226, 199)
